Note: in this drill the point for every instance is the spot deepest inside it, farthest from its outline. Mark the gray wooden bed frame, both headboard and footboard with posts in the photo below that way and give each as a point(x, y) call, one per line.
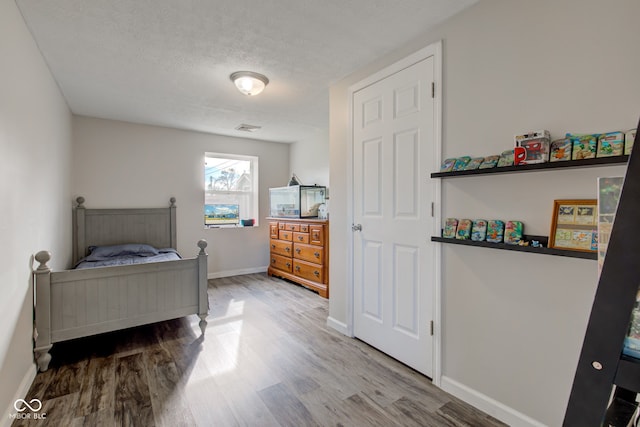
point(77, 303)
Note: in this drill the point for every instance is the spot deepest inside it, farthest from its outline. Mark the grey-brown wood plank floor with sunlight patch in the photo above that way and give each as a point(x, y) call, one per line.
point(267, 359)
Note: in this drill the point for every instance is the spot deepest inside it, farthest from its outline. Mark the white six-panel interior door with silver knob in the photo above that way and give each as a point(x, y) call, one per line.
point(393, 146)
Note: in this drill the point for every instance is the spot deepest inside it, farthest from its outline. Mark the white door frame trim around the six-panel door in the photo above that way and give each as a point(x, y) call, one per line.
point(434, 50)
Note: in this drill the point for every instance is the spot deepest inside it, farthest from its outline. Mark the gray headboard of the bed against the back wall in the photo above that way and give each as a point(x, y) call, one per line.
point(99, 227)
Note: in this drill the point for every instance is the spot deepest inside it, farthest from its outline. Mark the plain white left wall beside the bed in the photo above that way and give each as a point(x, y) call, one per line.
point(35, 154)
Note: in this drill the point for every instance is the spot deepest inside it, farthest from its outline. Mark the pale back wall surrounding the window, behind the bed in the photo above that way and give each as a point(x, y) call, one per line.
point(118, 164)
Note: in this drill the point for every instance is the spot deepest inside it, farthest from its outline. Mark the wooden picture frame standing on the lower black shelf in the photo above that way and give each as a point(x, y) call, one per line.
point(574, 225)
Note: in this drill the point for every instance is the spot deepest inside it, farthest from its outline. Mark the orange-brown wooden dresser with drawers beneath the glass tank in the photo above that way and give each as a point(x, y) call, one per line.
point(299, 251)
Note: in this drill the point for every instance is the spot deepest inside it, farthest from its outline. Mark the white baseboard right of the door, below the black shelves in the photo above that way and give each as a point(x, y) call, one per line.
point(492, 407)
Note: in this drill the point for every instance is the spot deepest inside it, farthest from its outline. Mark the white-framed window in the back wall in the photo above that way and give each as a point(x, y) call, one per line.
point(231, 190)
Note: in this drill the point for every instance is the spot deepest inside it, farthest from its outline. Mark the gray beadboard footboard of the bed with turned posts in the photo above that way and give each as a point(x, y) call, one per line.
point(77, 303)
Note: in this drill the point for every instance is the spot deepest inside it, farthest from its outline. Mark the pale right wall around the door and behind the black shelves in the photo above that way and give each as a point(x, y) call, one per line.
point(513, 323)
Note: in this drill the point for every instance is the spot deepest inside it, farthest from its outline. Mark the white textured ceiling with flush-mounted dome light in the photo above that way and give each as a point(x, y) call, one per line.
point(167, 62)
